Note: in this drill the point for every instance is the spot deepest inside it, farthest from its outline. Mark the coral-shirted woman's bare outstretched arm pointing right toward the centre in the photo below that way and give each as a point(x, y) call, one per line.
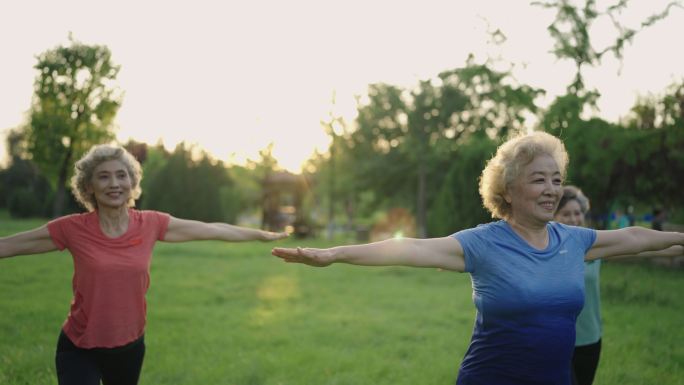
point(183, 230)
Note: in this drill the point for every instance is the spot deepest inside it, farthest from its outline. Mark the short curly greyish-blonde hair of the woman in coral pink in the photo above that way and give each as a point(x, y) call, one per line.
point(85, 167)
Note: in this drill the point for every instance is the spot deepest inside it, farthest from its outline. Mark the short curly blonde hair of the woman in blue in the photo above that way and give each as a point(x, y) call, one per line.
point(505, 166)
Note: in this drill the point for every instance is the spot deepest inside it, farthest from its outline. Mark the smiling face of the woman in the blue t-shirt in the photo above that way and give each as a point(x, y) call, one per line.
point(535, 193)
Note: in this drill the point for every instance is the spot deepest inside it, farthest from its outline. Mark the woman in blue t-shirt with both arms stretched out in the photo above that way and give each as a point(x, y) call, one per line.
point(527, 270)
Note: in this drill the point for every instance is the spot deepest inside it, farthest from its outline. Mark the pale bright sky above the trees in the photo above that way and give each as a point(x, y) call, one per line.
point(233, 77)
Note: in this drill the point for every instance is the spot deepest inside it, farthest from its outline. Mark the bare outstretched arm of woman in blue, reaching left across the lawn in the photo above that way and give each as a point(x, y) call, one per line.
point(445, 253)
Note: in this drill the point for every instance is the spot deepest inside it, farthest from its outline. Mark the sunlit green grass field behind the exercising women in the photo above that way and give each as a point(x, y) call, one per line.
point(230, 314)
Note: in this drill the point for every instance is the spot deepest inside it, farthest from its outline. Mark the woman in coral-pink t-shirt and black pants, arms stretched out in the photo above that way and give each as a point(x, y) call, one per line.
point(102, 338)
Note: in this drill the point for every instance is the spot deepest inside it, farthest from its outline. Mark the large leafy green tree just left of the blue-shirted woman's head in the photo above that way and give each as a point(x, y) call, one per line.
point(408, 134)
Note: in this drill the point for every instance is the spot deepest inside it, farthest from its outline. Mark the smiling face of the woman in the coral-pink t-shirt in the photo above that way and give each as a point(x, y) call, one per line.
point(110, 184)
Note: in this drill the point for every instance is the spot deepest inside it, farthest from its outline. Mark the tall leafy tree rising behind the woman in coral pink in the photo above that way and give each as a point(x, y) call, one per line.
point(73, 109)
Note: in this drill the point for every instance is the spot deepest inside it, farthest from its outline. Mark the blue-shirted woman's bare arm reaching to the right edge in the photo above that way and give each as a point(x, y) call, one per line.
point(633, 241)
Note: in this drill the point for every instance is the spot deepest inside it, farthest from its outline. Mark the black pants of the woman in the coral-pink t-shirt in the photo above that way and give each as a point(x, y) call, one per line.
point(115, 366)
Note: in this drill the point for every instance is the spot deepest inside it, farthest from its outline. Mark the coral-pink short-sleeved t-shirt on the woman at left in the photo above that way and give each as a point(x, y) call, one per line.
point(111, 276)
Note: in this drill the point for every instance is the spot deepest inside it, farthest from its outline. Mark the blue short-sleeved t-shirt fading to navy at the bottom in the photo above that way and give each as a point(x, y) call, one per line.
point(527, 302)
